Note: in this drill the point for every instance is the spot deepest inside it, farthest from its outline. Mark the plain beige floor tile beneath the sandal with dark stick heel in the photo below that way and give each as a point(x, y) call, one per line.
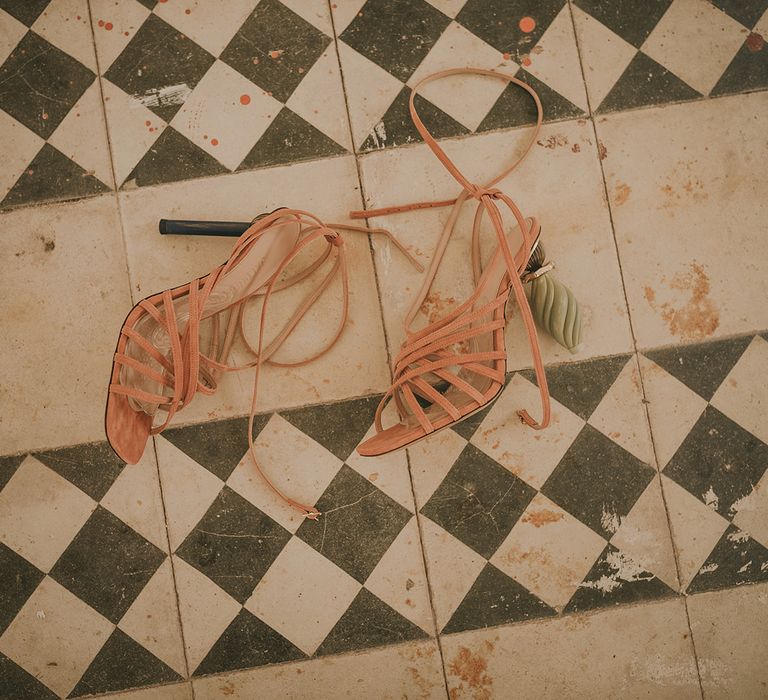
point(357, 364)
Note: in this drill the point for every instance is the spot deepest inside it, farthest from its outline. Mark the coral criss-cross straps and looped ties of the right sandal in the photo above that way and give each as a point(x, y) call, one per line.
point(465, 322)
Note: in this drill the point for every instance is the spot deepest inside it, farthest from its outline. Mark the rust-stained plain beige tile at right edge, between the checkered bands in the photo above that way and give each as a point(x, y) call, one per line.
point(688, 202)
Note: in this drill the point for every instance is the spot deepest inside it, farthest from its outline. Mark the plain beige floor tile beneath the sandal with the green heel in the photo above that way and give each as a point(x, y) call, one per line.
point(560, 182)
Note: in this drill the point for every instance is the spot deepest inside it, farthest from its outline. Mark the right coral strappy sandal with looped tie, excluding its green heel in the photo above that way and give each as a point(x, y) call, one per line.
point(456, 366)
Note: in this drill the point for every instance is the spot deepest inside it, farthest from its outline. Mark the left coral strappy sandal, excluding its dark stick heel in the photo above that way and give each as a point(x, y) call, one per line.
point(159, 364)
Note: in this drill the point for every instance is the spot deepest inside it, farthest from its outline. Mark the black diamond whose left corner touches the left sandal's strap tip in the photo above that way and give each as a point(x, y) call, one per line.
point(358, 524)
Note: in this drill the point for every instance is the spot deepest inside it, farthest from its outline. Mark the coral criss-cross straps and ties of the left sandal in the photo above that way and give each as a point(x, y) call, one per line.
point(187, 369)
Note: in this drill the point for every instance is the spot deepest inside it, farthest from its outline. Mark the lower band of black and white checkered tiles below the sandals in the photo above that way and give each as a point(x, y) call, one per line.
point(514, 526)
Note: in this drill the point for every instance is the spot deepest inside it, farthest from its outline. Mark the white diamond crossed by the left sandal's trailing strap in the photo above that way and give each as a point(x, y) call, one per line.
point(294, 462)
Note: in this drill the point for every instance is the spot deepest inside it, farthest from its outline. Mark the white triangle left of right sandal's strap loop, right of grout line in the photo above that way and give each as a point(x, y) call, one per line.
point(370, 91)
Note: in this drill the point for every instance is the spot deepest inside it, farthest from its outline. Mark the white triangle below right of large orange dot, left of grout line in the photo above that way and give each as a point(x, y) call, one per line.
point(555, 60)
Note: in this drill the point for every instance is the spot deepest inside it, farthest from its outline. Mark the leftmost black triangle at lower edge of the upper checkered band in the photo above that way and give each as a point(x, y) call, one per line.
point(51, 175)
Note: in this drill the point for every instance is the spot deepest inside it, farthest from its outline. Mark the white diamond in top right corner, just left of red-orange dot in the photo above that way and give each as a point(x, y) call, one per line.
point(696, 41)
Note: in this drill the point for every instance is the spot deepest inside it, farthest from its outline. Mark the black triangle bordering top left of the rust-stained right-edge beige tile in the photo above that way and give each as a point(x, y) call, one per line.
point(643, 83)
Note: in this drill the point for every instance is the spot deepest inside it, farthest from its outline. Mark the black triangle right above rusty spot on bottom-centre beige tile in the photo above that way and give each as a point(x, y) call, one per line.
point(495, 599)
